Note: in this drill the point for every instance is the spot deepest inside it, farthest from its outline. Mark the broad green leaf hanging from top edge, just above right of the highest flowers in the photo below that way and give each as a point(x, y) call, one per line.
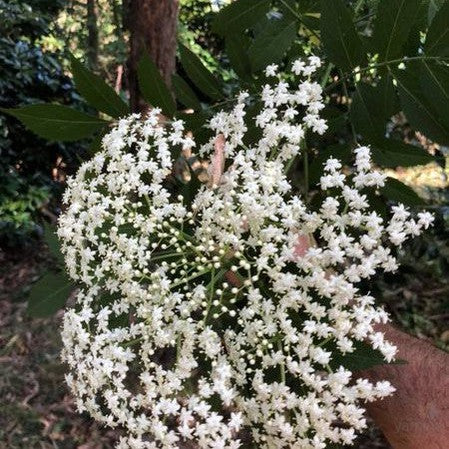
point(341, 41)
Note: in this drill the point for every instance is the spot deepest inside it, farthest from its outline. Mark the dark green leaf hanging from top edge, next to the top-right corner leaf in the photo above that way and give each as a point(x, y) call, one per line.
point(394, 21)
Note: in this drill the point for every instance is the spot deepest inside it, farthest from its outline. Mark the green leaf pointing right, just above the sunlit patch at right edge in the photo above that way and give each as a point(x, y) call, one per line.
point(391, 153)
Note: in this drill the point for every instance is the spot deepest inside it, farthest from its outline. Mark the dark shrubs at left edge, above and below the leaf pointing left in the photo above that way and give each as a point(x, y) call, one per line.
point(29, 75)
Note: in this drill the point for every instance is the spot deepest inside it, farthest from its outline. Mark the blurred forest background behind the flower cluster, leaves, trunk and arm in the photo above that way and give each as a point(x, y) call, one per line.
point(36, 40)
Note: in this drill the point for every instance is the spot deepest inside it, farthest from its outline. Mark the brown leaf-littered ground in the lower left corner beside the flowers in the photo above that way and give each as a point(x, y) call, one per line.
point(36, 411)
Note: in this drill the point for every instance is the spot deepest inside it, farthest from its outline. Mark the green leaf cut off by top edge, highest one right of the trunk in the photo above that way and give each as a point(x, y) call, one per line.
point(239, 15)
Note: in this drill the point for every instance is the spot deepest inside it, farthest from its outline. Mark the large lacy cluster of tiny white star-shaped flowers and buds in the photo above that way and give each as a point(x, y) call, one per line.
point(221, 322)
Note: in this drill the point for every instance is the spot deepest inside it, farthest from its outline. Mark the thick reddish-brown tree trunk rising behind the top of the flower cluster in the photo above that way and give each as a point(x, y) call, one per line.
point(152, 25)
